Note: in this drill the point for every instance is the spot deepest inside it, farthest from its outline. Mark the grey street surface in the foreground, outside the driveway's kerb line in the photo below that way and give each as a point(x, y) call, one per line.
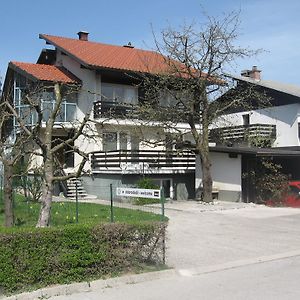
point(274, 280)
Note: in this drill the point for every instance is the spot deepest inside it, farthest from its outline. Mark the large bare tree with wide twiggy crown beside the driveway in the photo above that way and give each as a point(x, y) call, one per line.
point(189, 89)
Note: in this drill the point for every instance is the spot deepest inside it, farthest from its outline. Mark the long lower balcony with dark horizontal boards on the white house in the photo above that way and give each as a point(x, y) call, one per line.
point(142, 161)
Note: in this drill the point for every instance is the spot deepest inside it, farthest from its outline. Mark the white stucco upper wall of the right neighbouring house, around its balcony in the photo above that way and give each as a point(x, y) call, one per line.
point(285, 117)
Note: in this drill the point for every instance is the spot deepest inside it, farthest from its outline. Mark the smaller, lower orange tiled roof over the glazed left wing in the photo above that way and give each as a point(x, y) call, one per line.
point(46, 72)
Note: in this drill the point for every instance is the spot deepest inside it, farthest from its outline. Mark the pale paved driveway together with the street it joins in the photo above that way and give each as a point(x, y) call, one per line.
point(225, 251)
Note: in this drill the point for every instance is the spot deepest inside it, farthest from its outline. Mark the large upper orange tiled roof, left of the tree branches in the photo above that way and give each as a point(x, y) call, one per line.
point(109, 56)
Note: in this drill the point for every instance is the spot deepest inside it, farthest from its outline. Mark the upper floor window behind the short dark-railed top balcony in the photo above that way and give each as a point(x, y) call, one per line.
point(119, 93)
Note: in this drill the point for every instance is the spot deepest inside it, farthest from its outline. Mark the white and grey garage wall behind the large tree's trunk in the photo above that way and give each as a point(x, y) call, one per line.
point(226, 174)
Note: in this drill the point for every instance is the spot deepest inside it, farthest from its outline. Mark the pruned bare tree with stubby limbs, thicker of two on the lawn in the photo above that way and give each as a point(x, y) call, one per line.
point(46, 145)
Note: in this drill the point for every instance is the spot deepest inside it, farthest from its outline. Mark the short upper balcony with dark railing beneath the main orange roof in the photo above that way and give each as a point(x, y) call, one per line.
point(106, 109)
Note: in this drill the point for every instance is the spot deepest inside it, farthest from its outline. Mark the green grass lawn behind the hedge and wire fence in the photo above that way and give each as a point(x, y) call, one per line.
point(62, 213)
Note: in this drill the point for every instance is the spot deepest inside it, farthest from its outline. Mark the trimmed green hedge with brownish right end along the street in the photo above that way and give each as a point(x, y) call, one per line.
point(33, 258)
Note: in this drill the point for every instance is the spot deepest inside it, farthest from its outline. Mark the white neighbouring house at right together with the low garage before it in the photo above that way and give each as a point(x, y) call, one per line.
point(276, 126)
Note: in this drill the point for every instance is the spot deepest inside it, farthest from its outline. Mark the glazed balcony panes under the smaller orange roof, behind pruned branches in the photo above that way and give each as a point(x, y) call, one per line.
point(67, 112)
